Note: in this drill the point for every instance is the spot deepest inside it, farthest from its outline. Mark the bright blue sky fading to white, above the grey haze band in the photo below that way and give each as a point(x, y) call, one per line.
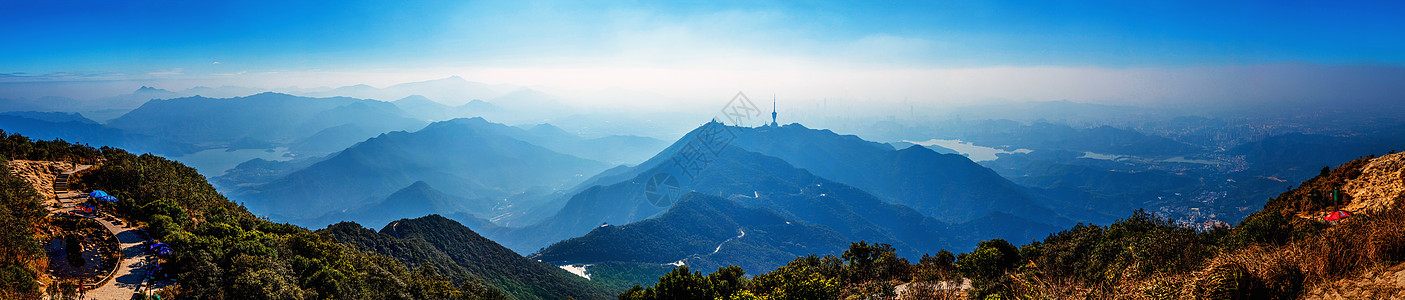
point(519, 41)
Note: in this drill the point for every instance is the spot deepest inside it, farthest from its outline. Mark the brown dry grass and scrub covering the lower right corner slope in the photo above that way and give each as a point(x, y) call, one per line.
point(1350, 250)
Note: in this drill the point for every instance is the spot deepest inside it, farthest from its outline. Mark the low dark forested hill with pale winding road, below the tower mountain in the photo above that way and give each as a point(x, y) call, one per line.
point(705, 232)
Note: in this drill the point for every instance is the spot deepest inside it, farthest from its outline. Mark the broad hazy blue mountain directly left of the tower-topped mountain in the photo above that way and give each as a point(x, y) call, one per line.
point(464, 158)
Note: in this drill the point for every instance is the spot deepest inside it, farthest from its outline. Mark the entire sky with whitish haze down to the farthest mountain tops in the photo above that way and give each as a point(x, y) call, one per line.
point(699, 54)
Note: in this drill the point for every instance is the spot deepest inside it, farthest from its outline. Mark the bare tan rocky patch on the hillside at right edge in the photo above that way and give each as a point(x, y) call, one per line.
point(1380, 186)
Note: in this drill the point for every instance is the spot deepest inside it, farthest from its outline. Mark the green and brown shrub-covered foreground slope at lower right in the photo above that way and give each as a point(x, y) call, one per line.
point(1272, 254)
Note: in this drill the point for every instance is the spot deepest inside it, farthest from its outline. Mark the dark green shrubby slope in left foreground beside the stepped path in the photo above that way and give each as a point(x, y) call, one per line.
point(221, 250)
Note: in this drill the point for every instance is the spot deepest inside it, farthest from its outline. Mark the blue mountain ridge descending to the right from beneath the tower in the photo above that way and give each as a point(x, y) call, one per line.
point(948, 187)
